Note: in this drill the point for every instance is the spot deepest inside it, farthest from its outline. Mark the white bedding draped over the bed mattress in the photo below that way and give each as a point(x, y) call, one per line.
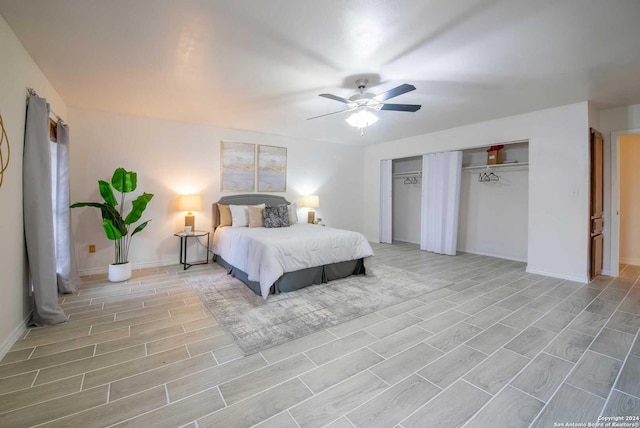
point(267, 253)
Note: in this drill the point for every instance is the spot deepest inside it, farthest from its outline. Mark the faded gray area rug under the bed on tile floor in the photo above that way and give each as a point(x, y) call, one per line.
point(257, 324)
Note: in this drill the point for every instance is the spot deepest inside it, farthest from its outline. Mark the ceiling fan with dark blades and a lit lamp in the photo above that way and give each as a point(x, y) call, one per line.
point(363, 102)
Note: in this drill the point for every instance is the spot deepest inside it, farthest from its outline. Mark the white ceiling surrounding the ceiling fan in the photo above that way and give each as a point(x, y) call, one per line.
point(259, 65)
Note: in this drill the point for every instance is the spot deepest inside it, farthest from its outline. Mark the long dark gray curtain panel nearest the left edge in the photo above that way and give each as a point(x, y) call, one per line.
point(38, 214)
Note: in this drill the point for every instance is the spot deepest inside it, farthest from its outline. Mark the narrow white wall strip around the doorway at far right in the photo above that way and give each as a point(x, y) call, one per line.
point(611, 121)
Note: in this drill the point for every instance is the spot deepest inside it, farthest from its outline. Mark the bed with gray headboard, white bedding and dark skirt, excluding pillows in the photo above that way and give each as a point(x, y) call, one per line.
point(276, 260)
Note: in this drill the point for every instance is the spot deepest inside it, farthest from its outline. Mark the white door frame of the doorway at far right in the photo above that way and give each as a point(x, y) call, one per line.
point(614, 264)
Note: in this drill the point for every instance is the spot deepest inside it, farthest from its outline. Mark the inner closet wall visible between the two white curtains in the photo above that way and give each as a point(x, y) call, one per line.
point(407, 201)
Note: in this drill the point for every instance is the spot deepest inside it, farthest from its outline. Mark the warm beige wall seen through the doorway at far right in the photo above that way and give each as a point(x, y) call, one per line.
point(630, 200)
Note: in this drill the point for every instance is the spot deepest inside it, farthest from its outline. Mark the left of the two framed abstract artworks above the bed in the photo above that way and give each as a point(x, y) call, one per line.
point(237, 167)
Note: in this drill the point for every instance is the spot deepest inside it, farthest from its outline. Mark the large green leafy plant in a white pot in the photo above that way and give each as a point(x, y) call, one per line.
point(115, 226)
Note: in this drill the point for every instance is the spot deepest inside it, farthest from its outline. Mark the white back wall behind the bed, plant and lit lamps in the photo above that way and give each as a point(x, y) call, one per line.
point(173, 158)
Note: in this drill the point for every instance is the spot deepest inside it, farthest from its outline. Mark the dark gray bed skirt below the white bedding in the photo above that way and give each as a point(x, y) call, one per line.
point(291, 281)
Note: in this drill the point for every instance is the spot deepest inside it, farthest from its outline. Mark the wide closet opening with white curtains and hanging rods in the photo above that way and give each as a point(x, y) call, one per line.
point(490, 195)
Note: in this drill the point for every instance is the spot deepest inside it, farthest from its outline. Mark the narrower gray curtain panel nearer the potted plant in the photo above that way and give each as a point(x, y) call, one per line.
point(68, 279)
